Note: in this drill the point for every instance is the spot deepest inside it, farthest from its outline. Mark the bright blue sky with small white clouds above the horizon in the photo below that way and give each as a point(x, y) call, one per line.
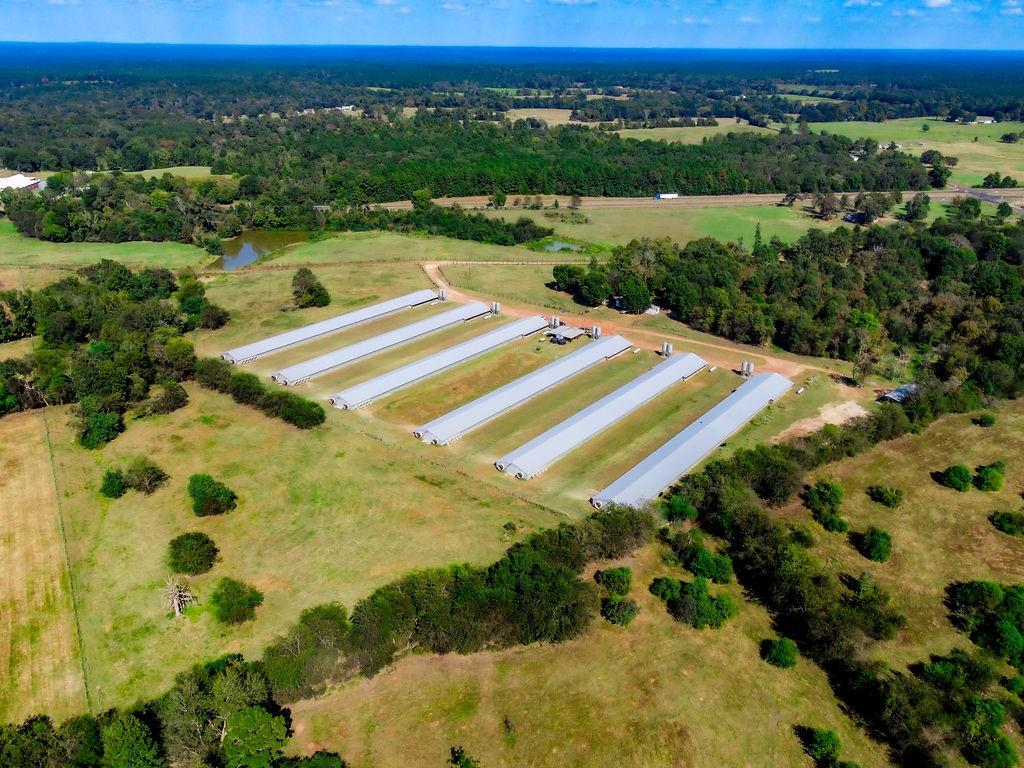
point(835, 24)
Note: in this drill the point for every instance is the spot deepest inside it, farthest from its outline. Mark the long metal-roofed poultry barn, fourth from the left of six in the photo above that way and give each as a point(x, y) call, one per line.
point(455, 424)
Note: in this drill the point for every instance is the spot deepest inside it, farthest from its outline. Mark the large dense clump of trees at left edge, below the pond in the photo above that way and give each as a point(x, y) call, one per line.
point(106, 336)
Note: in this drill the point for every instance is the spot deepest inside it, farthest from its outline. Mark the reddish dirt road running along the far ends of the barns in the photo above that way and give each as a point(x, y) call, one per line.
point(724, 355)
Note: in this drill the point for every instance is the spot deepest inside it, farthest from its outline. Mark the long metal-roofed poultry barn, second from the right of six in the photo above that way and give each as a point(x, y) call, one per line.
point(542, 452)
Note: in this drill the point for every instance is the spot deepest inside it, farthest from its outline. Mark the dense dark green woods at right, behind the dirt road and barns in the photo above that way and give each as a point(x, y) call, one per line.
point(946, 302)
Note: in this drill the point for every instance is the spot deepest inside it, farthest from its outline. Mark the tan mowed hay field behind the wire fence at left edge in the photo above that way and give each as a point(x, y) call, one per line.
point(40, 665)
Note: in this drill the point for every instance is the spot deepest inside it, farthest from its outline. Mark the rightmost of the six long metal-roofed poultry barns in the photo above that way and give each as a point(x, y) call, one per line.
point(649, 479)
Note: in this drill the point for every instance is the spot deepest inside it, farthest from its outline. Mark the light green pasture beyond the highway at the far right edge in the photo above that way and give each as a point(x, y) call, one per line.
point(977, 158)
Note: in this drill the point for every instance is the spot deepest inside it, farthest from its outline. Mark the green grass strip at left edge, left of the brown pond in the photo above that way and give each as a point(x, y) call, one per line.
point(23, 252)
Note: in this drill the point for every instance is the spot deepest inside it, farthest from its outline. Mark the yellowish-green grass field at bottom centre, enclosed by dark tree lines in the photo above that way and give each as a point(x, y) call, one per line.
point(656, 695)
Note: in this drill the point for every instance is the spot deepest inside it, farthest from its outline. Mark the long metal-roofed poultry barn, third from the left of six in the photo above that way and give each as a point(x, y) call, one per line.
point(363, 395)
